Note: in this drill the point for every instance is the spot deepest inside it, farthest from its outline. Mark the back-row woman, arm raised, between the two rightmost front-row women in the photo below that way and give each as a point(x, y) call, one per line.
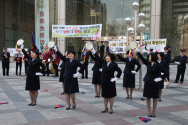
point(129, 73)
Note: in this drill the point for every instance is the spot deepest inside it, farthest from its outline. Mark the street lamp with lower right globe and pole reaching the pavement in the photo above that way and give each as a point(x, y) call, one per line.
point(141, 28)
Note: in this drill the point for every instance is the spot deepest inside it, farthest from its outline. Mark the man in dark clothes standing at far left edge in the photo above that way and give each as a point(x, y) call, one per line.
point(5, 61)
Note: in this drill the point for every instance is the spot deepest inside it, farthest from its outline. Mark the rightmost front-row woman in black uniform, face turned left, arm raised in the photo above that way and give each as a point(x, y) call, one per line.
point(151, 80)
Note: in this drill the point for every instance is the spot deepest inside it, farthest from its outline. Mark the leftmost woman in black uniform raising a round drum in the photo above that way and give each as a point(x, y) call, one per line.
point(33, 69)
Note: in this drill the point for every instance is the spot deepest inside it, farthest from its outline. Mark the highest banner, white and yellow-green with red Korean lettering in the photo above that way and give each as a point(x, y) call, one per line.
point(94, 30)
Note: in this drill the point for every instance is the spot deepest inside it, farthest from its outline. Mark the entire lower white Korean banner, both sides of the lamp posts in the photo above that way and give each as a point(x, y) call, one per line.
point(156, 44)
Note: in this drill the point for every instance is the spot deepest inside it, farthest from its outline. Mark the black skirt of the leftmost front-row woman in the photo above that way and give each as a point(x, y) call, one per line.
point(32, 82)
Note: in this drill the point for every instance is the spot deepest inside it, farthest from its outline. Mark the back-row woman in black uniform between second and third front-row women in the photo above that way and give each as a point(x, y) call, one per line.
point(97, 69)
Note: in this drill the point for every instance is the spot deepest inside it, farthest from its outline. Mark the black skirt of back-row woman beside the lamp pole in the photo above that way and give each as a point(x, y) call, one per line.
point(129, 81)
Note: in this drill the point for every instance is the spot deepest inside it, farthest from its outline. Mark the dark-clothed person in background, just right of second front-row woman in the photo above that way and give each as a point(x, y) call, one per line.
point(85, 63)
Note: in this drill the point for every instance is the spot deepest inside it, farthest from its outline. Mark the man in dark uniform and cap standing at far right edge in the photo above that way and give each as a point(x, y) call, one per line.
point(181, 61)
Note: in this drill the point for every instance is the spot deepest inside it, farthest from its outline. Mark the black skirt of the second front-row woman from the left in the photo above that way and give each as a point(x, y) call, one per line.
point(71, 86)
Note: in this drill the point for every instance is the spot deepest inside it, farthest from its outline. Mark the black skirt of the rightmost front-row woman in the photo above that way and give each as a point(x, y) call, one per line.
point(151, 90)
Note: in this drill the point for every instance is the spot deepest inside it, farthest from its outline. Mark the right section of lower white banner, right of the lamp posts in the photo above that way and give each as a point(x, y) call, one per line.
point(156, 44)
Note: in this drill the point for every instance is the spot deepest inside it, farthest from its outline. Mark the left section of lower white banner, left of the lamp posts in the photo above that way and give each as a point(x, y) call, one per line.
point(119, 45)
